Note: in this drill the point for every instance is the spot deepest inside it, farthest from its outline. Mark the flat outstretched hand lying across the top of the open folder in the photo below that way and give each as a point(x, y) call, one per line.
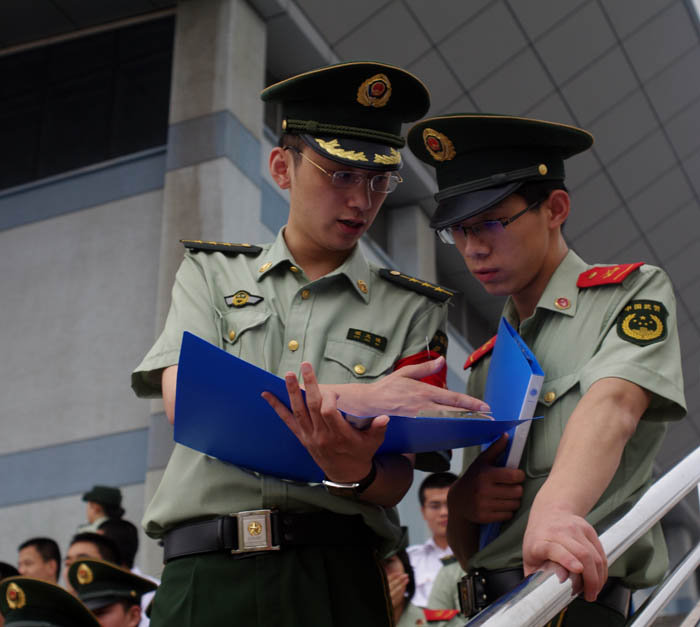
point(402, 393)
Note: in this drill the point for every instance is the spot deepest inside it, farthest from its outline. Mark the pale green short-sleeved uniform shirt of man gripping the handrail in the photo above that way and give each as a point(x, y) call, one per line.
point(576, 346)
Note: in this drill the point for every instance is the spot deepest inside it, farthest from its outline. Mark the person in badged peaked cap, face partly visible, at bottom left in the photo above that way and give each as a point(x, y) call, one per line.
point(111, 592)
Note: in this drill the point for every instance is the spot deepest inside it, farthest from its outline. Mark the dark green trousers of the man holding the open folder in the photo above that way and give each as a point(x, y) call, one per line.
point(298, 587)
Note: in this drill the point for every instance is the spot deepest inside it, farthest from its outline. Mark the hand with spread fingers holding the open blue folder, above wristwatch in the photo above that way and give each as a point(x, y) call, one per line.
point(343, 452)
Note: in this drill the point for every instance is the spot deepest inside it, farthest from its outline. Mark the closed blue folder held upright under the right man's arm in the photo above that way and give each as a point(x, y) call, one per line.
point(514, 362)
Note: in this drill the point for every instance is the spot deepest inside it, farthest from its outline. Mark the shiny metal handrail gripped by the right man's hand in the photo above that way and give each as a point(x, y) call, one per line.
point(542, 595)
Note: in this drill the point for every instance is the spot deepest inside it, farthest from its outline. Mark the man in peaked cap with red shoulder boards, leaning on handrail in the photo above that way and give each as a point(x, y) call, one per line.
point(606, 337)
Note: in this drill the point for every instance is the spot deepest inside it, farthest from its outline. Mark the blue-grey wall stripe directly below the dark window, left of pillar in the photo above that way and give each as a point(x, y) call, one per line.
point(128, 176)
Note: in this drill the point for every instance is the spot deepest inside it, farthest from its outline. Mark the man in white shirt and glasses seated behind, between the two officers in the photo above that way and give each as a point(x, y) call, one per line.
point(426, 559)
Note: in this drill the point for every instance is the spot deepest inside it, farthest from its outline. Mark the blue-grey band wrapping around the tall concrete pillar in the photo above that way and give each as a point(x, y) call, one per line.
point(209, 137)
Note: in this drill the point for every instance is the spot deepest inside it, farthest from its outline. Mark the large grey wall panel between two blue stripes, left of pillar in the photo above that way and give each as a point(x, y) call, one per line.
point(78, 311)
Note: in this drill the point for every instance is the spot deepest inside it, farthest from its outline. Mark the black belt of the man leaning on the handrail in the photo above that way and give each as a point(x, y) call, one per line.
point(480, 587)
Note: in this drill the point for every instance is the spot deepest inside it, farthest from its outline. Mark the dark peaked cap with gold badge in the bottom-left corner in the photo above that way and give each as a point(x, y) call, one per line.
point(27, 602)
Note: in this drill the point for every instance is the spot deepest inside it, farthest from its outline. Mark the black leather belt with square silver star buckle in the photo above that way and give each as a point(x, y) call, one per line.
point(243, 533)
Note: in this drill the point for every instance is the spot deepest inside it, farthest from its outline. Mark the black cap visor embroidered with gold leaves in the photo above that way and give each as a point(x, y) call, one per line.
point(356, 153)
